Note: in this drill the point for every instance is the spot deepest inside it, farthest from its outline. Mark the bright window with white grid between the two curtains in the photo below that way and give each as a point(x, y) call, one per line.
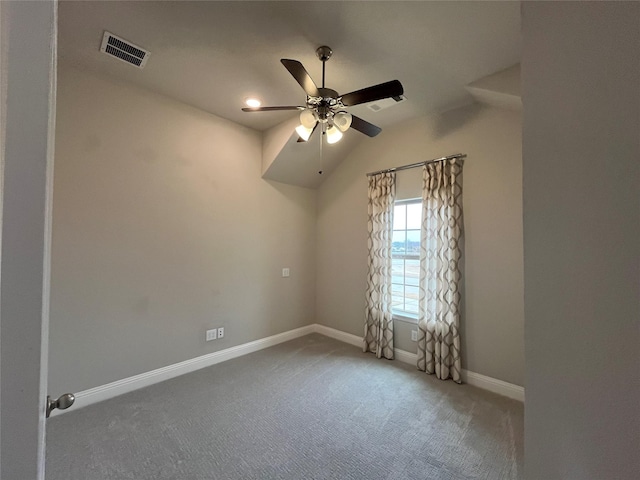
point(405, 257)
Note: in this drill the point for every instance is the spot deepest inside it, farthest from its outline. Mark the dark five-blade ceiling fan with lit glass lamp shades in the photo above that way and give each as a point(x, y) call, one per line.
point(325, 107)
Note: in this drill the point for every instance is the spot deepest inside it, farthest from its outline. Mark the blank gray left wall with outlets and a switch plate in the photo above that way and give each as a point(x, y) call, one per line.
point(163, 228)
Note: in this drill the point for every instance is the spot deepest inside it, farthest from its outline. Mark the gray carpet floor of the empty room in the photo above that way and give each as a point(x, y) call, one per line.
point(311, 408)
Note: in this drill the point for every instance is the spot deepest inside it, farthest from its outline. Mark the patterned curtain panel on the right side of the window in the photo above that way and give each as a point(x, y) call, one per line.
point(440, 270)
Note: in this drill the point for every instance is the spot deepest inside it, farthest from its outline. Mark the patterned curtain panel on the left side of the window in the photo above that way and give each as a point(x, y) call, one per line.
point(378, 328)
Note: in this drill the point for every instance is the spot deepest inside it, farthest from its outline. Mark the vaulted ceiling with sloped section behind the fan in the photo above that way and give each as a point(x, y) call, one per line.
point(214, 54)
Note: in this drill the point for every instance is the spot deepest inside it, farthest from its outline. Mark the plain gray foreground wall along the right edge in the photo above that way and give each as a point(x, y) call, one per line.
point(581, 96)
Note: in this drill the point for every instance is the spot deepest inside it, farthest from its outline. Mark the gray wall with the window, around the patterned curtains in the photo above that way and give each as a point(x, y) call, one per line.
point(493, 323)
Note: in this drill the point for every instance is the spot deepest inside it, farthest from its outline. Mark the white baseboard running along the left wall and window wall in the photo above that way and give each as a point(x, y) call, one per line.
point(126, 385)
